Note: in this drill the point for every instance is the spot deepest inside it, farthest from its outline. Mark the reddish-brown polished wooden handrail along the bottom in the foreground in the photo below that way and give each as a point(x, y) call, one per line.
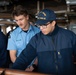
point(17, 72)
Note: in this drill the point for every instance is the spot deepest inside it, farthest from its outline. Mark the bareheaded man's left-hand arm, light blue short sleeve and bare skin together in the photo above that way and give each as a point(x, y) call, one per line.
point(11, 46)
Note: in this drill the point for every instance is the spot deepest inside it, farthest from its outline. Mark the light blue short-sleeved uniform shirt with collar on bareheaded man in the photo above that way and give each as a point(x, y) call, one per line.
point(19, 39)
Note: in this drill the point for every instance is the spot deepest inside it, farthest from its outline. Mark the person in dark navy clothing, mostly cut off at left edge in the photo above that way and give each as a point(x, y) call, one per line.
point(3, 51)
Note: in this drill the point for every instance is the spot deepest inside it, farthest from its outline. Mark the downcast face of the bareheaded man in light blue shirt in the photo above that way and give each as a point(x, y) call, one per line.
point(22, 21)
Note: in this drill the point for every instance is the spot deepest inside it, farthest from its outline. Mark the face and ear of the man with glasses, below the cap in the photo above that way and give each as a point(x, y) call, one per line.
point(47, 28)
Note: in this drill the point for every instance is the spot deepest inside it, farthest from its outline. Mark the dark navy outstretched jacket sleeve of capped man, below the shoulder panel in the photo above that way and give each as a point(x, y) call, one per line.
point(25, 58)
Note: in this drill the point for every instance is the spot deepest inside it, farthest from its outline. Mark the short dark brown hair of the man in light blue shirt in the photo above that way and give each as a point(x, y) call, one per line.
point(19, 10)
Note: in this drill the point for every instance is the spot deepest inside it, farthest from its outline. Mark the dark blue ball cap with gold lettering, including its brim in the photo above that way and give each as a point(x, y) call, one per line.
point(45, 16)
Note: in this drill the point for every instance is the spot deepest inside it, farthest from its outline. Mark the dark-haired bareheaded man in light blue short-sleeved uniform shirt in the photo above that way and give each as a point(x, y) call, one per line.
point(20, 37)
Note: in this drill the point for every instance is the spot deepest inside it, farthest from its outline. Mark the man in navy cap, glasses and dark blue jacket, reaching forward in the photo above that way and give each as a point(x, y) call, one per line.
point(53, 46)
